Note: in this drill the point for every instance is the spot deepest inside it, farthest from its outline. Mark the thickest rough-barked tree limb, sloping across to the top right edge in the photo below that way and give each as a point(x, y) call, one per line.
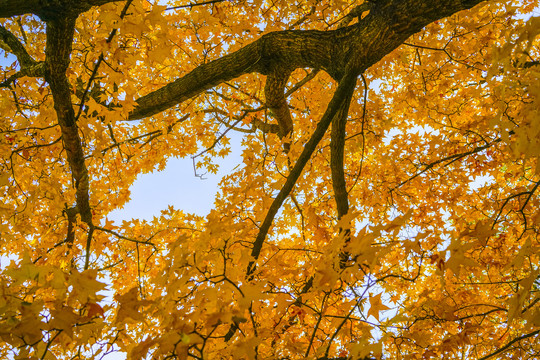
point(387, 25)
